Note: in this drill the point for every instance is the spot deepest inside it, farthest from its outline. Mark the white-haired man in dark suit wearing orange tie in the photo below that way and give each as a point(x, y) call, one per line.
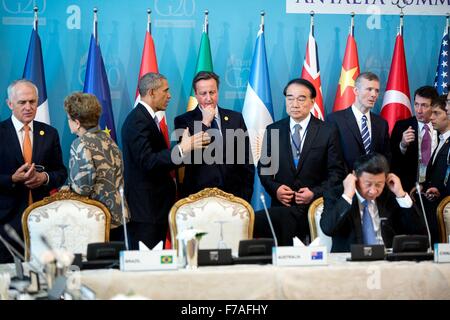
point(30, 159)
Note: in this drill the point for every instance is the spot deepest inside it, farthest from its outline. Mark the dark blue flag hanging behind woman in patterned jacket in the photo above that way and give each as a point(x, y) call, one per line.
point(96, 83)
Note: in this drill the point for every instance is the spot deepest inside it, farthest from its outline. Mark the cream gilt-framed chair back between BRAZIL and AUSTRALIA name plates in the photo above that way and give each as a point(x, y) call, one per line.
point(213, 210)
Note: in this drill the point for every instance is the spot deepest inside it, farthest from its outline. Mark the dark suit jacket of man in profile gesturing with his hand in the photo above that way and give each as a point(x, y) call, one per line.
point(149, 187)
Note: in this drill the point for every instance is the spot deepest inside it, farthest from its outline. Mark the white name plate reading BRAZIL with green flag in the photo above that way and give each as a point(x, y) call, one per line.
point(135, 260)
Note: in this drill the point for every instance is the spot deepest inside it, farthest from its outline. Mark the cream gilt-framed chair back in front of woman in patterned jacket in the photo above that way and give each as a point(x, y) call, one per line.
point(68, 221)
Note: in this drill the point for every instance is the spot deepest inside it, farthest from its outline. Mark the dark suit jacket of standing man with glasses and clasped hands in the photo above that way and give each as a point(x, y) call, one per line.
point(320, 166)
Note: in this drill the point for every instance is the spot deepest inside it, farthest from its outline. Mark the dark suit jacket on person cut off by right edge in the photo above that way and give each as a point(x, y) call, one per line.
point(437, 170)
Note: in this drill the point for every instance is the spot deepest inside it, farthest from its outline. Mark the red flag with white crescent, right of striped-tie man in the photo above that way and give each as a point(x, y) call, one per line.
point(396, 100)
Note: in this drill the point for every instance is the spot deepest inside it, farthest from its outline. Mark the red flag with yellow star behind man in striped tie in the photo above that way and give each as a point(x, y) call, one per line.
point(349, 72)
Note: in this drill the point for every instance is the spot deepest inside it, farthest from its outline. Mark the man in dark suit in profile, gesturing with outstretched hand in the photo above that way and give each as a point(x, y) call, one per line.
point(149, 187)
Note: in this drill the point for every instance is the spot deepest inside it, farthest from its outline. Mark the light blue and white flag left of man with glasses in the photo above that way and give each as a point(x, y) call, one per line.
point(258, 110)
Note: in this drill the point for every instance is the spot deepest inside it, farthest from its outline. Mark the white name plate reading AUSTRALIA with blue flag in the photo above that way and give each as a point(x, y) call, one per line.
point(300, 256)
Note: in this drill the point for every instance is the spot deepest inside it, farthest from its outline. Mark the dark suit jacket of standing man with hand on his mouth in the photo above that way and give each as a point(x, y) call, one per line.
point(236, 177)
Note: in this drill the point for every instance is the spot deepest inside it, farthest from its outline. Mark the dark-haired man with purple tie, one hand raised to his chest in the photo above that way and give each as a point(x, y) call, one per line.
point(413, 140)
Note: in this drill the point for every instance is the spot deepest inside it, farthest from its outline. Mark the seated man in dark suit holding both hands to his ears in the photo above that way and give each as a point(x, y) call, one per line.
point(370, 207)
